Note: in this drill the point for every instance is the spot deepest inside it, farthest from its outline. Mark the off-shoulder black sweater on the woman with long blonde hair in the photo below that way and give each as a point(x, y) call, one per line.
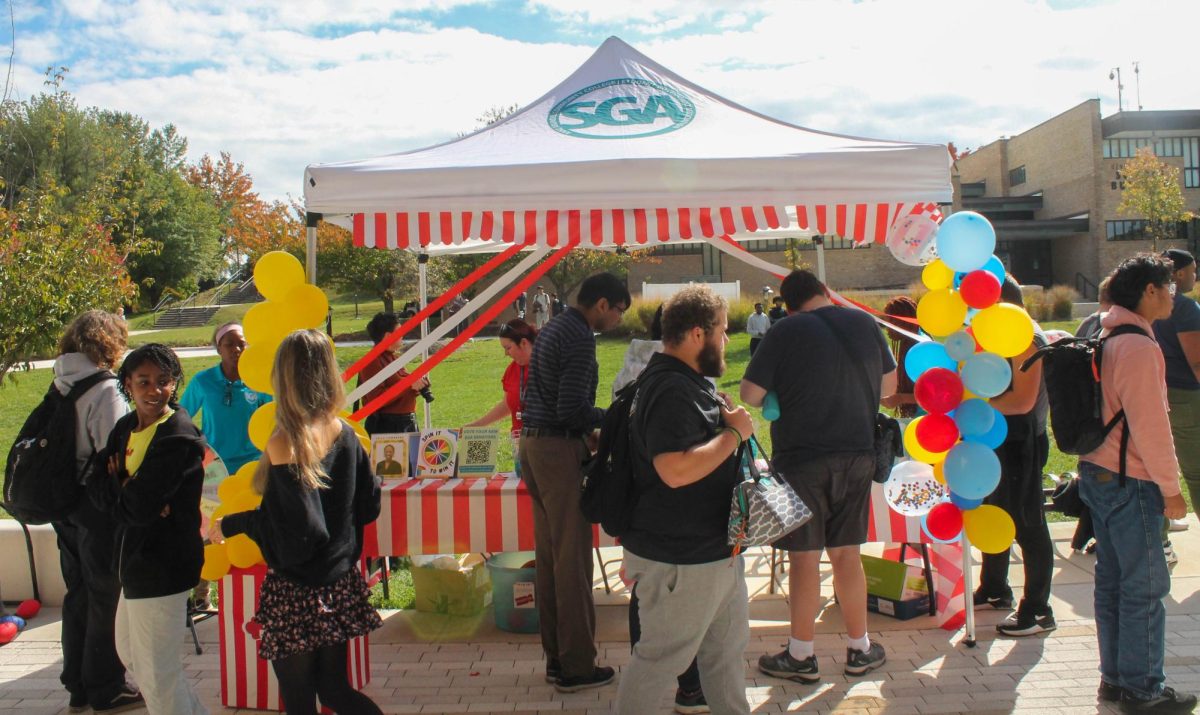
point(315, 537)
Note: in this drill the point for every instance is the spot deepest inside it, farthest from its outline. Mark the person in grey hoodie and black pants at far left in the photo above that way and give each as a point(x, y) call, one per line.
point(92, 671)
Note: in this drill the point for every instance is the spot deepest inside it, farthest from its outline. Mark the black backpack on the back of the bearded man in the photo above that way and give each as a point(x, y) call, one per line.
point(609, 492)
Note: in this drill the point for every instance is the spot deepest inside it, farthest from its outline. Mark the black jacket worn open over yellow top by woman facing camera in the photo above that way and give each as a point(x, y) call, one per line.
point(158, 556)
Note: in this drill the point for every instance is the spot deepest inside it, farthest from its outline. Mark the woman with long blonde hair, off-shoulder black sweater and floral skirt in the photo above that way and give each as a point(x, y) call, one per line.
point(319, 494)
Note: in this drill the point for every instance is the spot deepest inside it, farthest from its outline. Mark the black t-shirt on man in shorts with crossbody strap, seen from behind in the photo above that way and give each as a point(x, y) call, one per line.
point(824, 407)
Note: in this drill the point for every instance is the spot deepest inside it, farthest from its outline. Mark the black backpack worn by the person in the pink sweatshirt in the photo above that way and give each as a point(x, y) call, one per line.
point(1072, 374)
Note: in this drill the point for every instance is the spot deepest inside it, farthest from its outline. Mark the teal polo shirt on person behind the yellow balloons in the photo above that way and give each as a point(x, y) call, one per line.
point(225, 426)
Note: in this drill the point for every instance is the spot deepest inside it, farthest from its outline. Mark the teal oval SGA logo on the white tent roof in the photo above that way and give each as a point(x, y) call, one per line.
point(623, 109)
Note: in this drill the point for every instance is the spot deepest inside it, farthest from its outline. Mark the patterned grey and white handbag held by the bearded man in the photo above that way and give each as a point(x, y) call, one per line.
point(764, 508)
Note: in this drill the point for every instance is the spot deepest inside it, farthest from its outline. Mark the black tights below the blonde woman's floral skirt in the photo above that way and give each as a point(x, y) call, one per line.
point(322, 675)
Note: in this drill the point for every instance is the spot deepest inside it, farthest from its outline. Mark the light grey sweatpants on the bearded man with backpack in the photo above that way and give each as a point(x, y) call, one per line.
point(688, 611)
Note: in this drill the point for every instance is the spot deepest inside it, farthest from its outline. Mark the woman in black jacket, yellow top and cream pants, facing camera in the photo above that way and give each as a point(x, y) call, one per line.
point(149, 480)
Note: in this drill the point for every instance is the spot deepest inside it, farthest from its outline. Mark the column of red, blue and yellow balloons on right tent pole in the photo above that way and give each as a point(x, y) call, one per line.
point(955, 442)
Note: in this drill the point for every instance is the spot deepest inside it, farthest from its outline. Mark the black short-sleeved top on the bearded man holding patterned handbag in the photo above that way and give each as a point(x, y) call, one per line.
point(677, 410)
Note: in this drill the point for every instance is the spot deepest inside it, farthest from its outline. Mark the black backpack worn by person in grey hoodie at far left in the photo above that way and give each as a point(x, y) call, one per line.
point(41, 479)
